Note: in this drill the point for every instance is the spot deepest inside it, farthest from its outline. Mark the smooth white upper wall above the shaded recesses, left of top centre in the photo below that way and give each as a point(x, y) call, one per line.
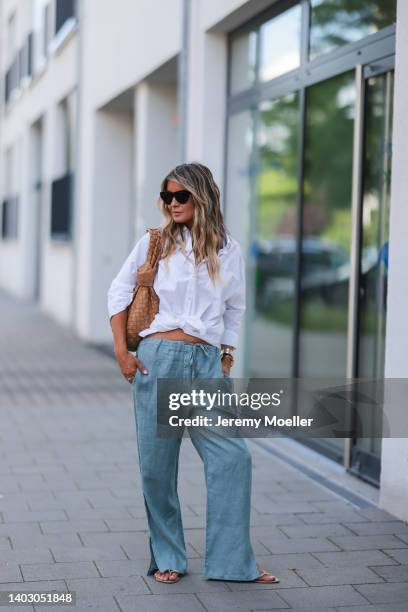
point(126, 41)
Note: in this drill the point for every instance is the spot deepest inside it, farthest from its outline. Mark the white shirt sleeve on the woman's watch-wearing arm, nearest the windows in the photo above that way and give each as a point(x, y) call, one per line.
point(235, 305)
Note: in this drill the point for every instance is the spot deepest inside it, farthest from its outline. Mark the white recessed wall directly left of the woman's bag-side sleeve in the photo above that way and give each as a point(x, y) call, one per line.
point(111, 201)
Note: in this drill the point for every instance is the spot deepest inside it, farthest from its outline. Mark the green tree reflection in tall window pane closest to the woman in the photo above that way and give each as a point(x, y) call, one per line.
point(275, 246)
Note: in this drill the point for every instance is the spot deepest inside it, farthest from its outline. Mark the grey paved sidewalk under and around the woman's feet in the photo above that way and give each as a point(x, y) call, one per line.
point(72, 515)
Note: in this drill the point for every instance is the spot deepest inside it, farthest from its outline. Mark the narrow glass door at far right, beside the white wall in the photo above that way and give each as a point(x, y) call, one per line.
point(372, 270)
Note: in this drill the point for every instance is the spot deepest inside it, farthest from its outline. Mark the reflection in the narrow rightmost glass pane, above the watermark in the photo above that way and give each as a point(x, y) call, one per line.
point(375, 225)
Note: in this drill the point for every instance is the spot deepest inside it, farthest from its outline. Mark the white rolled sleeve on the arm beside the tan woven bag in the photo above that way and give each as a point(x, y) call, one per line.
point(120, 292)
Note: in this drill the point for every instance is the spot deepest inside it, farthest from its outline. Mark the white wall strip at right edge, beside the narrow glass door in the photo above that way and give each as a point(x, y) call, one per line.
point(394, 472)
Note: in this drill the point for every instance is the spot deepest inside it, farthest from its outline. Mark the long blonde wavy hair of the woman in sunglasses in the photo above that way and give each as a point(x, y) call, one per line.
point(208, 232)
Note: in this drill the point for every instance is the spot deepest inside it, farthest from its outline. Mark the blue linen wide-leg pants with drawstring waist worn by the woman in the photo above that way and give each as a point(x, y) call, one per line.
point(227, 467)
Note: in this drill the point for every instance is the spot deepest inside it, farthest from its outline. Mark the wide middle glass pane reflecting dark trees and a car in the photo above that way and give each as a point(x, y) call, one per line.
point(326, 227)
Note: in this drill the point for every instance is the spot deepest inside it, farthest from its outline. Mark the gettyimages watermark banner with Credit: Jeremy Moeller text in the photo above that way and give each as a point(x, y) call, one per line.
point(266, 407)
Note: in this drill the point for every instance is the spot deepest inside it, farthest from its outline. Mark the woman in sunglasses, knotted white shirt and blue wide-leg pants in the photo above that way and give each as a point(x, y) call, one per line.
point(200, 282)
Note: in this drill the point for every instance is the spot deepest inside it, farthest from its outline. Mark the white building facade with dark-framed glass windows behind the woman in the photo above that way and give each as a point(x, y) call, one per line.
point(298, 107)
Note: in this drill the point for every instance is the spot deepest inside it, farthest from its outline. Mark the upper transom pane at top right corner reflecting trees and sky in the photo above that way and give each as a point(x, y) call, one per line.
point(337, 22)
